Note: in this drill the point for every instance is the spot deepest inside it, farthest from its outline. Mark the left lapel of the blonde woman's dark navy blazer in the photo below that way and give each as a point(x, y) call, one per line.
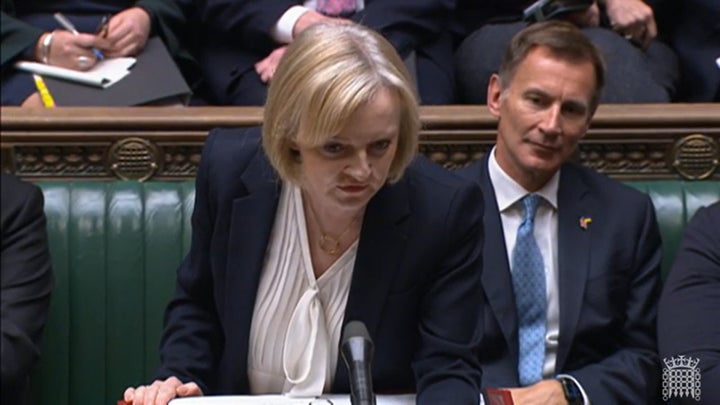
point(251, 223)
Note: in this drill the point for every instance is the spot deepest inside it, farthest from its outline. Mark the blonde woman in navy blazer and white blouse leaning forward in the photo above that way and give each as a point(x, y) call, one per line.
point(321, 217)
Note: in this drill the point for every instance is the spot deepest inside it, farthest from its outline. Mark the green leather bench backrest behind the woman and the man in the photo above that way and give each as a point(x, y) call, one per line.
point(115, 247)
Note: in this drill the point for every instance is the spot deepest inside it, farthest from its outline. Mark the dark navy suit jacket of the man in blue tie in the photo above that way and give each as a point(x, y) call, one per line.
point(609, 283)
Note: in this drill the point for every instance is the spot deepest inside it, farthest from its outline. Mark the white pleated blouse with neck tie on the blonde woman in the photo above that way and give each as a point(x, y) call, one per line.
point(297, 319)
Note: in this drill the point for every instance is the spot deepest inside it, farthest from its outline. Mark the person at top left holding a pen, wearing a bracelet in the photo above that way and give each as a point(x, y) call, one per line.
point(30, 32)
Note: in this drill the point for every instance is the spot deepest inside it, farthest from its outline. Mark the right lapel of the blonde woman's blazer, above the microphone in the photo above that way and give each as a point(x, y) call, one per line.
point(382, 246)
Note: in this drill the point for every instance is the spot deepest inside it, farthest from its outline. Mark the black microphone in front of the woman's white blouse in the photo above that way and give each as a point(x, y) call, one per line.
point(357, 351)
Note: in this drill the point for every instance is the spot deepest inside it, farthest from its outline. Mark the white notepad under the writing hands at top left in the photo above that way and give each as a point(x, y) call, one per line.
point(104, 74)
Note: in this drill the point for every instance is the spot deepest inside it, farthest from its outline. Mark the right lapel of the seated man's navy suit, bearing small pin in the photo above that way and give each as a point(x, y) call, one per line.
point(574, 254)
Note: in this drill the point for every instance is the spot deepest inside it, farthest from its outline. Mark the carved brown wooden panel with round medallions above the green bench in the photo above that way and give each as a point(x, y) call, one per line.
point(634, 141)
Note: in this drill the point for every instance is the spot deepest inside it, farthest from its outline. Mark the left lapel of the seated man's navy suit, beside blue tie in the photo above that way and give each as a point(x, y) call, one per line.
point(496, 277)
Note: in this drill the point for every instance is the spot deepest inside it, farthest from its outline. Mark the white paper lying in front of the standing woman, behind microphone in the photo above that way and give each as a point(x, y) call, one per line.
point(408, 399)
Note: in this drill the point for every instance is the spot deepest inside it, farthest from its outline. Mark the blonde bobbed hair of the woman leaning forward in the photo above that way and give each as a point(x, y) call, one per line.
point(325, 75)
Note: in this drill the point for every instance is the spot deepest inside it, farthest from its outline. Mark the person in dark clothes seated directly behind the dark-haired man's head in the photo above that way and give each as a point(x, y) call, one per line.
point(640, 67)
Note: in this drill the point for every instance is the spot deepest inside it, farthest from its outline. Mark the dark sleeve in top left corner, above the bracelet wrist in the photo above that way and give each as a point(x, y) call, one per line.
point(17, 36)
